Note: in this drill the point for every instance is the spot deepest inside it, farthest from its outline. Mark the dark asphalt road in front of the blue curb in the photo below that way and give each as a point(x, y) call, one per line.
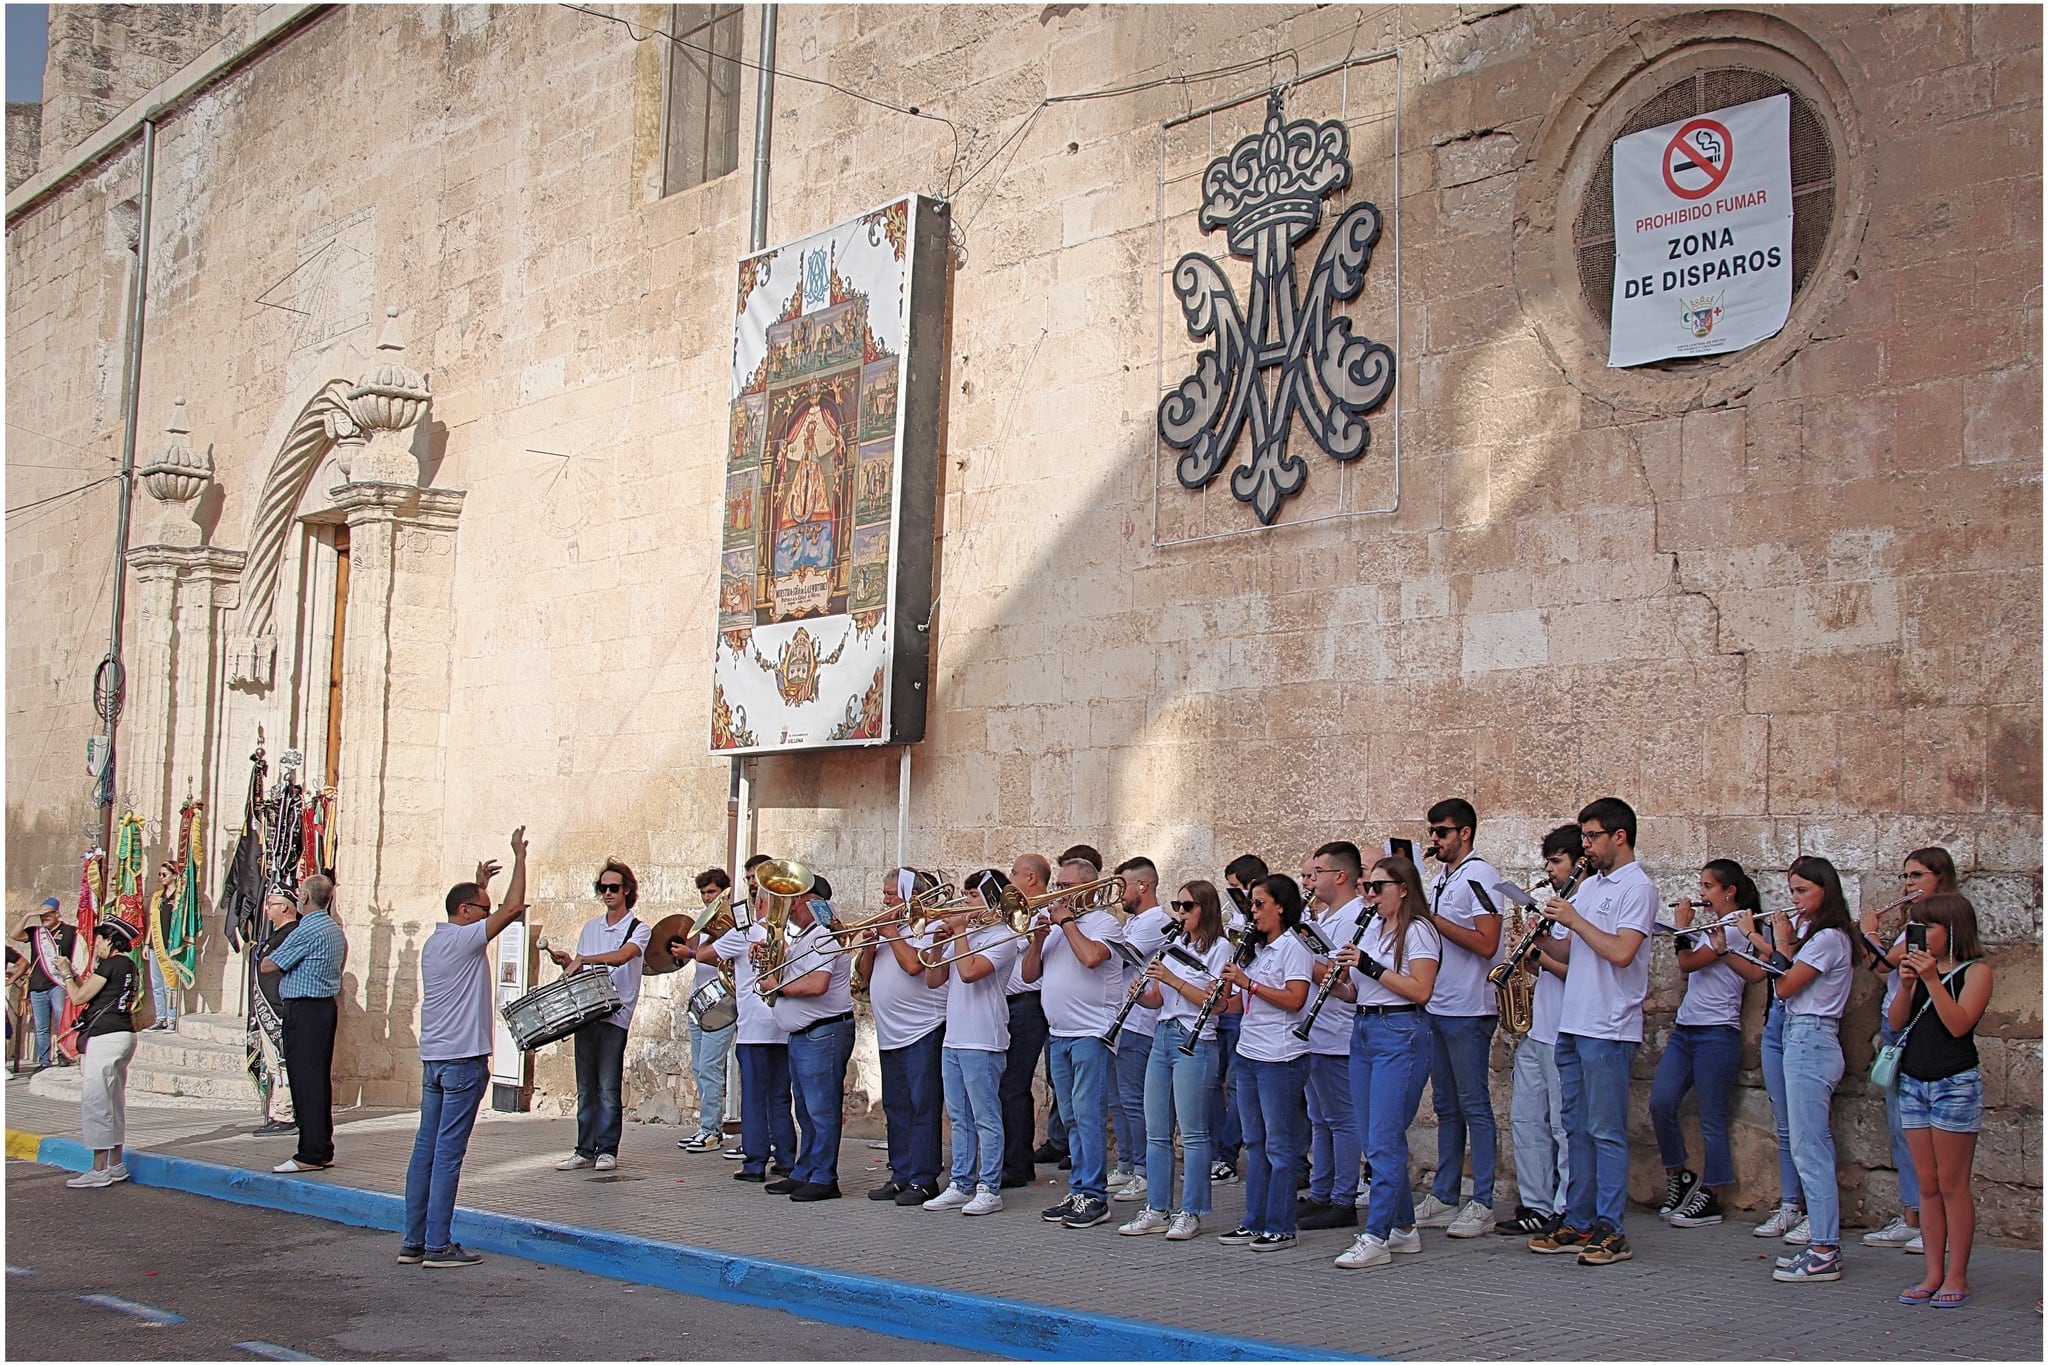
point(247, 1280)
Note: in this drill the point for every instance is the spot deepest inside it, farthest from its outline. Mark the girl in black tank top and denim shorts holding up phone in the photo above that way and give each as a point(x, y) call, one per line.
point(1940, 1092)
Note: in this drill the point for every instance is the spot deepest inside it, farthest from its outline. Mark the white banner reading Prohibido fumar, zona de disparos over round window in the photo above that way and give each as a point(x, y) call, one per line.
point(1703, 234)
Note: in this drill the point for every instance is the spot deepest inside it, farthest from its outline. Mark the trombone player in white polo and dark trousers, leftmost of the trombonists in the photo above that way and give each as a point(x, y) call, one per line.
point(910, 1028)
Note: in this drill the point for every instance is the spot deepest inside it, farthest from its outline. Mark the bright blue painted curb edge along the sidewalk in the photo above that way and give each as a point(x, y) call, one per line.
point(919, 1313)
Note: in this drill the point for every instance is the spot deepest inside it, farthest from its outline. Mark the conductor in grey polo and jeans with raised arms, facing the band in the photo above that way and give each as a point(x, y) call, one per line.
point(456, 1055)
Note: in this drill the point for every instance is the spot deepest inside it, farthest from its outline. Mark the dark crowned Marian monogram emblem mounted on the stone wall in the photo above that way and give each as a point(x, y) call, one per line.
point(1285, 355)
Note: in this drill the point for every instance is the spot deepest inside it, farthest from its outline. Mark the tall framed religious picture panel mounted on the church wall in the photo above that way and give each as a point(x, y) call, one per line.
point(830, 486)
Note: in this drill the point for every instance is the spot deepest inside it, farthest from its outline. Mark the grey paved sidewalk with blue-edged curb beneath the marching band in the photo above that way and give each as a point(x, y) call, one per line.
point(1689, 1294)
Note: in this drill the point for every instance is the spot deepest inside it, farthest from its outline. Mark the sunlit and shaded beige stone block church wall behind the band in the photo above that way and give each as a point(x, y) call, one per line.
point(1785, 607)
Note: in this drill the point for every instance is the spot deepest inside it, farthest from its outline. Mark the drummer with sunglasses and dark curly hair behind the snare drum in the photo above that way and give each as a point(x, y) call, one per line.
point(615, 940)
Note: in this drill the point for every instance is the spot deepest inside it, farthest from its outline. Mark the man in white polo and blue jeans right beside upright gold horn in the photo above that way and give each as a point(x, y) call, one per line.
point(816, 1006)
